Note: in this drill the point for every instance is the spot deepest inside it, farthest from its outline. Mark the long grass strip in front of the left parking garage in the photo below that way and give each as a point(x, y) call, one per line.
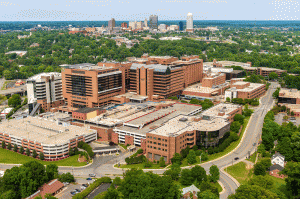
point(10, 157)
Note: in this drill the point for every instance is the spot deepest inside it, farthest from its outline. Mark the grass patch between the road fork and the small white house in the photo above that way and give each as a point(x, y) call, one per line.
point(240, 172)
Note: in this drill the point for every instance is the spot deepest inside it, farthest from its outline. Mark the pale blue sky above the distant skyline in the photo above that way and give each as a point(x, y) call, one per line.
point(130, 10)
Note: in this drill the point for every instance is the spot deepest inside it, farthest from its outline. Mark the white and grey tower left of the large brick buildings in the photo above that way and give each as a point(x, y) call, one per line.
point(45, 89)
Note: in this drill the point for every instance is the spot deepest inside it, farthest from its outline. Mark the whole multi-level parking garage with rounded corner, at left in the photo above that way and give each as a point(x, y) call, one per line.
point(52, 138)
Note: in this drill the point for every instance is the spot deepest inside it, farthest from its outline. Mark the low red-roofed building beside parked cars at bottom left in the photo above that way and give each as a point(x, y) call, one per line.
point(52, 188)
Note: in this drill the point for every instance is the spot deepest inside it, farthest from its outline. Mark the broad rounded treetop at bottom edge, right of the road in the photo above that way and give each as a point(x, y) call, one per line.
point(253, 191)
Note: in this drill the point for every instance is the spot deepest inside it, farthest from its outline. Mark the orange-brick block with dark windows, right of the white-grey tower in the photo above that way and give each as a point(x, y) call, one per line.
point(88, 85)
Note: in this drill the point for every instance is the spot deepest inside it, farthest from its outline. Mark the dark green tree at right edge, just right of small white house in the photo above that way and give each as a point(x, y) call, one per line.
point(292, 170)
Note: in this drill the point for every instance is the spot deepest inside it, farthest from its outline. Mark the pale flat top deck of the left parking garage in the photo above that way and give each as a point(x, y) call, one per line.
point(41, 130)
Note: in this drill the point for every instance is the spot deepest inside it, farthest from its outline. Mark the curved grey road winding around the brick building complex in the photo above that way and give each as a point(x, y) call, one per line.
point(104, 165)
